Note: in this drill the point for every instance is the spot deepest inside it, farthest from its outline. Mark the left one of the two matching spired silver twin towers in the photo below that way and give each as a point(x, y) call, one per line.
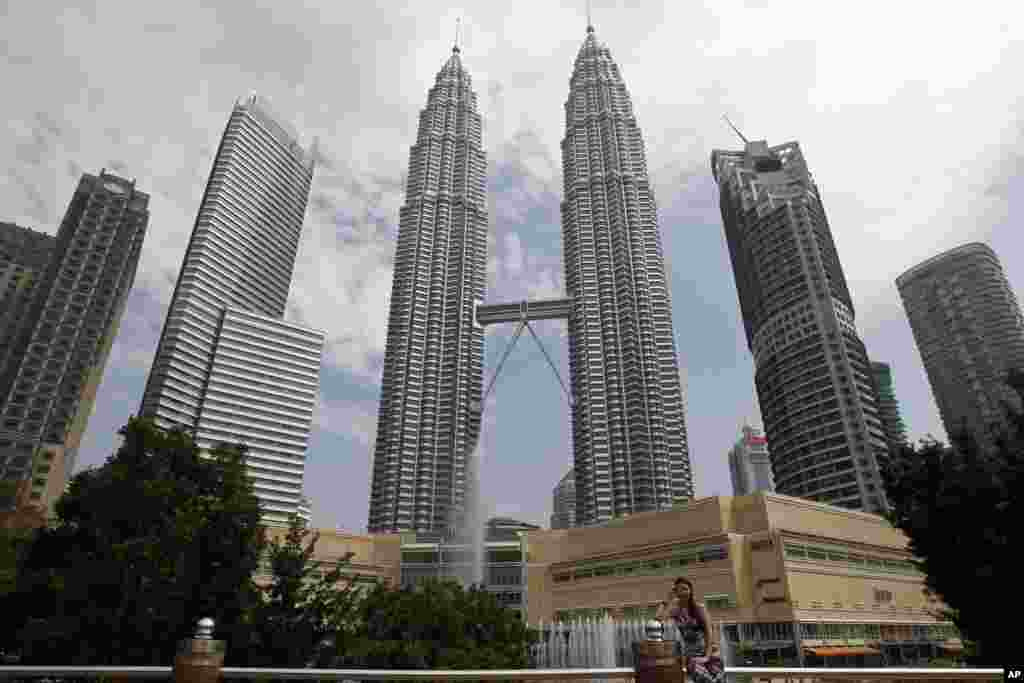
point(434, 363)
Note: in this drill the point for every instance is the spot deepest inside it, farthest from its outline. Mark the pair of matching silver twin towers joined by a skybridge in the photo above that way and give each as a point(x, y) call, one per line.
point(629, 435)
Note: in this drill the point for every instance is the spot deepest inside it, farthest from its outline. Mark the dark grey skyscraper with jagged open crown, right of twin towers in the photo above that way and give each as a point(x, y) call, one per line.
point(814, 379)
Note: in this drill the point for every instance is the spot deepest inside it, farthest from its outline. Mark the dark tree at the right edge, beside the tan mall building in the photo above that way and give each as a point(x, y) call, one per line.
point(961, 507)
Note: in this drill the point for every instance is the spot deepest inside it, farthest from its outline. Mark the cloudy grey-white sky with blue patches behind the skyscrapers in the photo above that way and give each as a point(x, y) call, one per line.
point(910, 117)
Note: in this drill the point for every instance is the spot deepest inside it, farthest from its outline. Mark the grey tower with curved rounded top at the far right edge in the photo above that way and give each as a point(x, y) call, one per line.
point(968, 327)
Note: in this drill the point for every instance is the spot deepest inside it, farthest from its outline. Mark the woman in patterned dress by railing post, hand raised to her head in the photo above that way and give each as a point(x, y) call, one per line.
point(698, 633)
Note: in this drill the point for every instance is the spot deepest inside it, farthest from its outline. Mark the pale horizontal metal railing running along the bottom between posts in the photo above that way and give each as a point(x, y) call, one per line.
point(753, 674)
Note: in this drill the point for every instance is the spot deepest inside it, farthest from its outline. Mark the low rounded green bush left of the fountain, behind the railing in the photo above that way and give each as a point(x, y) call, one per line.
point(438, 625)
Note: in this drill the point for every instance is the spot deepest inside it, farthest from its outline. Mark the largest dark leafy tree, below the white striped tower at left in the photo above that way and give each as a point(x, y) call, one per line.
point(144, 546)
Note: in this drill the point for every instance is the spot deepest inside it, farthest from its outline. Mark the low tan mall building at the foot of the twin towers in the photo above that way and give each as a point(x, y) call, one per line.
point(787, 580)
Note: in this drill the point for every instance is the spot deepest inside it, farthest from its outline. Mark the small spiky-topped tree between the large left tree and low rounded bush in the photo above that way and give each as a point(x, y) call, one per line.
point(302, 609)
